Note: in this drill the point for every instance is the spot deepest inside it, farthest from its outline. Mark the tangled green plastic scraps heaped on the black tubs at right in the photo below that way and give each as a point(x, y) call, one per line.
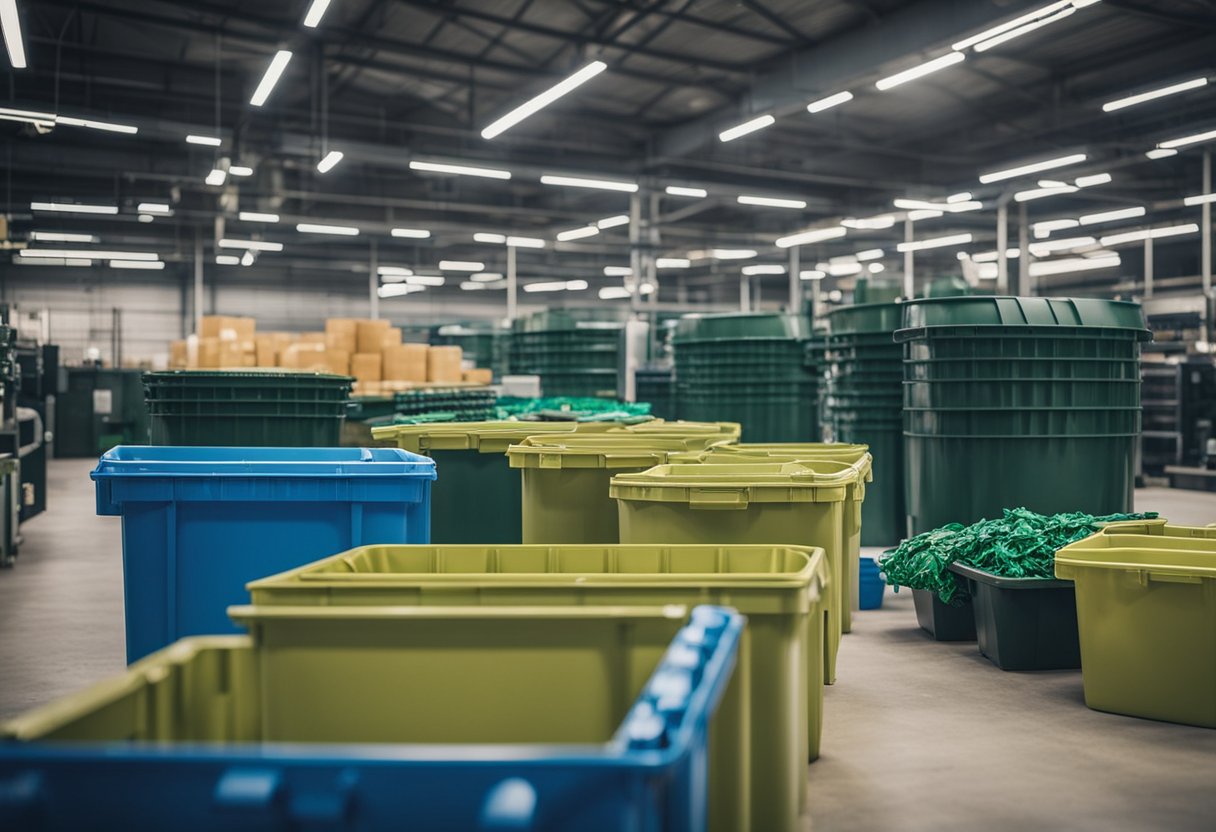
point(1021, 544)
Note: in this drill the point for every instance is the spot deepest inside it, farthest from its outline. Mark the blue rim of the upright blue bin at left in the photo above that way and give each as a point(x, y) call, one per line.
point(190, 462)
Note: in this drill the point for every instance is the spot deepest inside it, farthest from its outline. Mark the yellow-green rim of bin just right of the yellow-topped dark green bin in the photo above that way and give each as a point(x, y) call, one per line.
point(603, 451)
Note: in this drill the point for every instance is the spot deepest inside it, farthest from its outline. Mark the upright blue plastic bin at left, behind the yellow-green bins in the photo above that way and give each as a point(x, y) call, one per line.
point(200, 524)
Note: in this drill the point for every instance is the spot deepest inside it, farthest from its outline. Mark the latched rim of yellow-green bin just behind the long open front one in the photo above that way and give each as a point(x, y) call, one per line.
point(734, 486)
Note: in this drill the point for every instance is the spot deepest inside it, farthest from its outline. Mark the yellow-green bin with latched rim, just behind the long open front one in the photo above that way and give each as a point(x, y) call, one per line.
point(764, 504)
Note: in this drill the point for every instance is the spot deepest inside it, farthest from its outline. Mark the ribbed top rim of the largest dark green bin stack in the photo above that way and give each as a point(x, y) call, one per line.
point(1012, 312)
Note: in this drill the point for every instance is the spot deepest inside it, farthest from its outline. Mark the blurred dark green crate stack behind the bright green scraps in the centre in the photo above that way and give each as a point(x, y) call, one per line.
point(575, 352)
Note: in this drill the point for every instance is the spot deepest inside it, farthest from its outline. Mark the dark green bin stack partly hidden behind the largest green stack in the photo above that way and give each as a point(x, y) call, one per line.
point(864, 404)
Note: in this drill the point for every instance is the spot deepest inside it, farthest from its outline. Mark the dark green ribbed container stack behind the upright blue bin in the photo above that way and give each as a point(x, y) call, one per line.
point(246, 408)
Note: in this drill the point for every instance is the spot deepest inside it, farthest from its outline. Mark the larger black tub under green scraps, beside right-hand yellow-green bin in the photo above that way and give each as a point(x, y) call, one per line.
point(1024, 623)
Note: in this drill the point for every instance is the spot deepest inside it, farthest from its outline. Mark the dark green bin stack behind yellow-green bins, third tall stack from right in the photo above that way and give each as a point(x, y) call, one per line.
point(750, 369)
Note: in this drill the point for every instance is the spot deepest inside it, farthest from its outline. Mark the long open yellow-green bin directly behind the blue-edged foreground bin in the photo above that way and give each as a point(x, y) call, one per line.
point(778, 588)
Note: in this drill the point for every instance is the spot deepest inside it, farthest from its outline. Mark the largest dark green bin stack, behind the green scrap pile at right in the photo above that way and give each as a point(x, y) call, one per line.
point(1020, 402)
